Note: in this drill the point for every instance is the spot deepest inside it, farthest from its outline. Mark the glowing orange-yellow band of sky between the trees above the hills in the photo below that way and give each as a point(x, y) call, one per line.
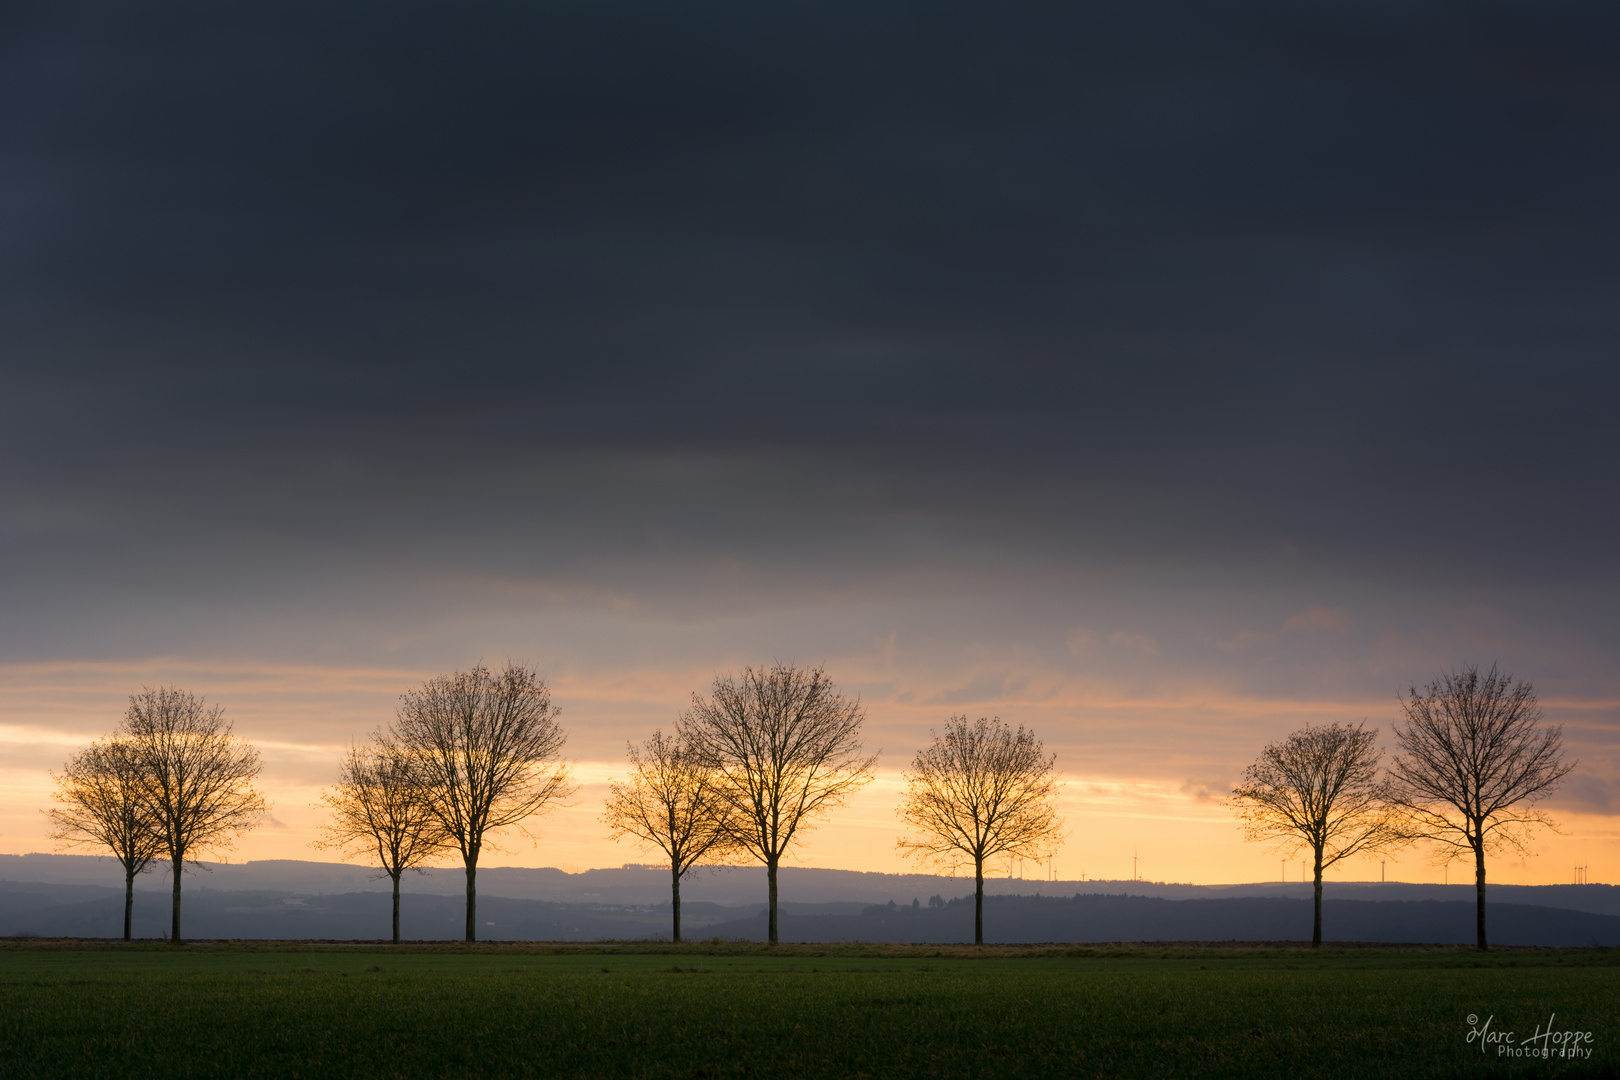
point(1145, 773)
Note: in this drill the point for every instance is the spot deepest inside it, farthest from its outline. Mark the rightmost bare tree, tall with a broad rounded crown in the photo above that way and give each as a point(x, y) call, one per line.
point(1473, 760)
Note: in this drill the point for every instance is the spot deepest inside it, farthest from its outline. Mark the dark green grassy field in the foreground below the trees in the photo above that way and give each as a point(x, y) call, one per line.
point(840, 1011)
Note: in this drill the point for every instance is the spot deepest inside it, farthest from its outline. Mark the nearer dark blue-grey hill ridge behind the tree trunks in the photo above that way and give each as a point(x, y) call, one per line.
point(90, 912)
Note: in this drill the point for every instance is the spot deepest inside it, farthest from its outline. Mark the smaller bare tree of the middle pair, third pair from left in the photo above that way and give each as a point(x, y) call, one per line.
point(671, 802)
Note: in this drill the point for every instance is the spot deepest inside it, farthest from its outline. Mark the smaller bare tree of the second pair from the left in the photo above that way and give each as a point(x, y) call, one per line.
point(380, 812)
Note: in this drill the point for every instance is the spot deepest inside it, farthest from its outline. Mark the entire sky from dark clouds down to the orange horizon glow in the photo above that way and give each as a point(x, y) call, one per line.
point(1162, 376)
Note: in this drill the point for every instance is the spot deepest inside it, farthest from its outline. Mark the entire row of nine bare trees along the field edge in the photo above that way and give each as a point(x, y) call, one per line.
point(762, 759)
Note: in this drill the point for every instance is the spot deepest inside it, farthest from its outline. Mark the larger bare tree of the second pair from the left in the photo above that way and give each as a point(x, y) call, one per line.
point(485, 747)
